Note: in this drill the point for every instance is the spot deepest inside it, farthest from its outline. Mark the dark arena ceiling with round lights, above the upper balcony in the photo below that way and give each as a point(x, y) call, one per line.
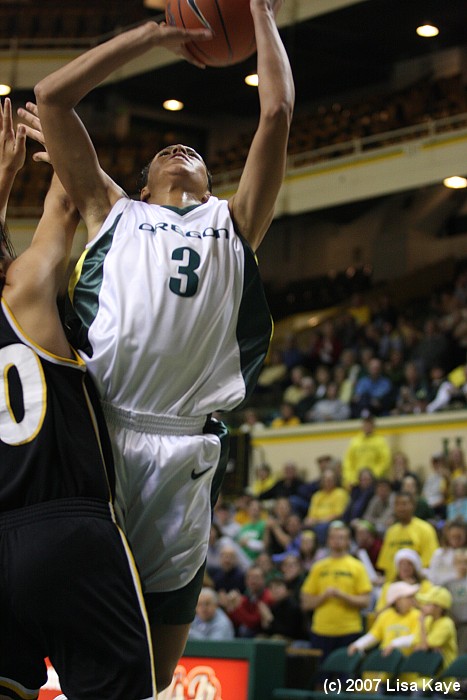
point(331, 53)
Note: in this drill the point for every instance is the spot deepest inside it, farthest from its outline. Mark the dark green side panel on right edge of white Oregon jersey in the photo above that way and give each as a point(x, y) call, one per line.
point(254, 325)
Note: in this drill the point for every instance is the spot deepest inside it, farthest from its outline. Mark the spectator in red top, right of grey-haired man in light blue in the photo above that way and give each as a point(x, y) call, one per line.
point(250, 611)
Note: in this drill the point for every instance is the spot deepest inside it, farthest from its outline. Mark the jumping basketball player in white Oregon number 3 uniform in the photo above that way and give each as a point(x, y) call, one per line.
point(174, 324)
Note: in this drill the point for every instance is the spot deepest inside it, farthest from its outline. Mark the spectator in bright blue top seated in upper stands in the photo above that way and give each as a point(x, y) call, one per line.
point(373, 392)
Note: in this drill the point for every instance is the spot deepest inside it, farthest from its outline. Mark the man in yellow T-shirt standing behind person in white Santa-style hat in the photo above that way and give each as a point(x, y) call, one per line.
point(407, 532)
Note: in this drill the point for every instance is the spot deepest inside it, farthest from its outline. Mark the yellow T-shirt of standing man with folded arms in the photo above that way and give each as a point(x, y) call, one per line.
point(335, 617)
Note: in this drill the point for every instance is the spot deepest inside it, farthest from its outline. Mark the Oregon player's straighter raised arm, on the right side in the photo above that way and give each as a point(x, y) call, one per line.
point(252, 206)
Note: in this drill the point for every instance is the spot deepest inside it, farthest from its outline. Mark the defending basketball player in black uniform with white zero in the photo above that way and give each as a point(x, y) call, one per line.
point(68, 587)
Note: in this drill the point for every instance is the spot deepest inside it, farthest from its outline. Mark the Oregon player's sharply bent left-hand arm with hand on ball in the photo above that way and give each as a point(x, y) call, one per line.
point(71, 150)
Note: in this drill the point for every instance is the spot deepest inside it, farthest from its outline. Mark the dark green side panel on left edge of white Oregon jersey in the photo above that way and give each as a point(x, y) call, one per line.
point(81, 309)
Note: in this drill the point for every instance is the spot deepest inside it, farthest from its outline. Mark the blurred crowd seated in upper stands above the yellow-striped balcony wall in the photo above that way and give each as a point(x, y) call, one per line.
point(369, 356)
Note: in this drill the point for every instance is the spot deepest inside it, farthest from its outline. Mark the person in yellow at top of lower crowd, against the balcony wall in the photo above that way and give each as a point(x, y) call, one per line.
point(366, 449)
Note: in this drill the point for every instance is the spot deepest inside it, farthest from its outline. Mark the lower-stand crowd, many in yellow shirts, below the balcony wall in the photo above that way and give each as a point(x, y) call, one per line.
point(361, 556)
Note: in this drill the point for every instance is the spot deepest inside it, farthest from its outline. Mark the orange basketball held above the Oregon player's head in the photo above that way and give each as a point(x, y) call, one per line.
point(231, 24)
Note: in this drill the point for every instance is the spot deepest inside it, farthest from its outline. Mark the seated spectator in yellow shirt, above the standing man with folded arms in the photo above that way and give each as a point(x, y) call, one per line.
point(327, 504)
